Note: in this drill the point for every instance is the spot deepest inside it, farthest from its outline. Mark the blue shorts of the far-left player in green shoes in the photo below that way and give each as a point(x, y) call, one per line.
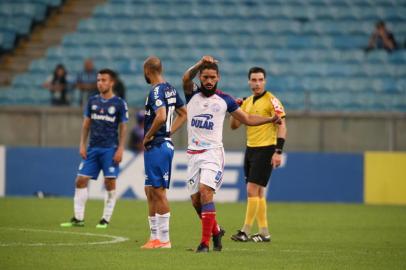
point(99, 159)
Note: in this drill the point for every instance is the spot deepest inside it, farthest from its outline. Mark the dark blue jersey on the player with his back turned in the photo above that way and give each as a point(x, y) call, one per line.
point(161, 95)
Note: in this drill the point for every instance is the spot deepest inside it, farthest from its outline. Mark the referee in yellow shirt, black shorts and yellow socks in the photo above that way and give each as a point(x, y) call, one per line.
point(263, 153)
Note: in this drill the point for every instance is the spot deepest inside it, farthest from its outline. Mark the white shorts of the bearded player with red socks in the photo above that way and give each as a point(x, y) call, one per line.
point(206, 168)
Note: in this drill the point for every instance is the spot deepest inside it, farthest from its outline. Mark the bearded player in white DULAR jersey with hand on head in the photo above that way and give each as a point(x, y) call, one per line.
point(206, 110)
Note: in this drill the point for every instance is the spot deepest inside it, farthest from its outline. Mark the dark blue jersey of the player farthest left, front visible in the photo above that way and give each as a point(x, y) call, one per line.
point(105, 115)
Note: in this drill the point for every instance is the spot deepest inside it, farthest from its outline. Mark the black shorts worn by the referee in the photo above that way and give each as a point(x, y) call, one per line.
point(257, 164)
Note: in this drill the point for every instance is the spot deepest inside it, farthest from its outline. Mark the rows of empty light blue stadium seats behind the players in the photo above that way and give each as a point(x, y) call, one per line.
point(313, 50)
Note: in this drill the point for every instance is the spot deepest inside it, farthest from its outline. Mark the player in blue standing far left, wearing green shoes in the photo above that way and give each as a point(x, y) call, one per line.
point(106, 117)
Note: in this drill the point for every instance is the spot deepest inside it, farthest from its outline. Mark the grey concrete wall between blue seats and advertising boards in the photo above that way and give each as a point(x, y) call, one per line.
point(315, 132)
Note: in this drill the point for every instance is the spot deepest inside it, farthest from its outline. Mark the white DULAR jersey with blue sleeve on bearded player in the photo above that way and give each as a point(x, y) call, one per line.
point(205, 118)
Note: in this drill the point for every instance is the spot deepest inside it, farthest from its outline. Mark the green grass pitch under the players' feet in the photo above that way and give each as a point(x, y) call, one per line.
point(304, 236)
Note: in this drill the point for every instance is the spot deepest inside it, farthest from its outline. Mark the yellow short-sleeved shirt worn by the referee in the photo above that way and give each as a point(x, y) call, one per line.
point(264, 105)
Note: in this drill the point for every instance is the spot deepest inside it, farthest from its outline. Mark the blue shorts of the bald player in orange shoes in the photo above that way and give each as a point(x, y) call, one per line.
point(158, 164)
